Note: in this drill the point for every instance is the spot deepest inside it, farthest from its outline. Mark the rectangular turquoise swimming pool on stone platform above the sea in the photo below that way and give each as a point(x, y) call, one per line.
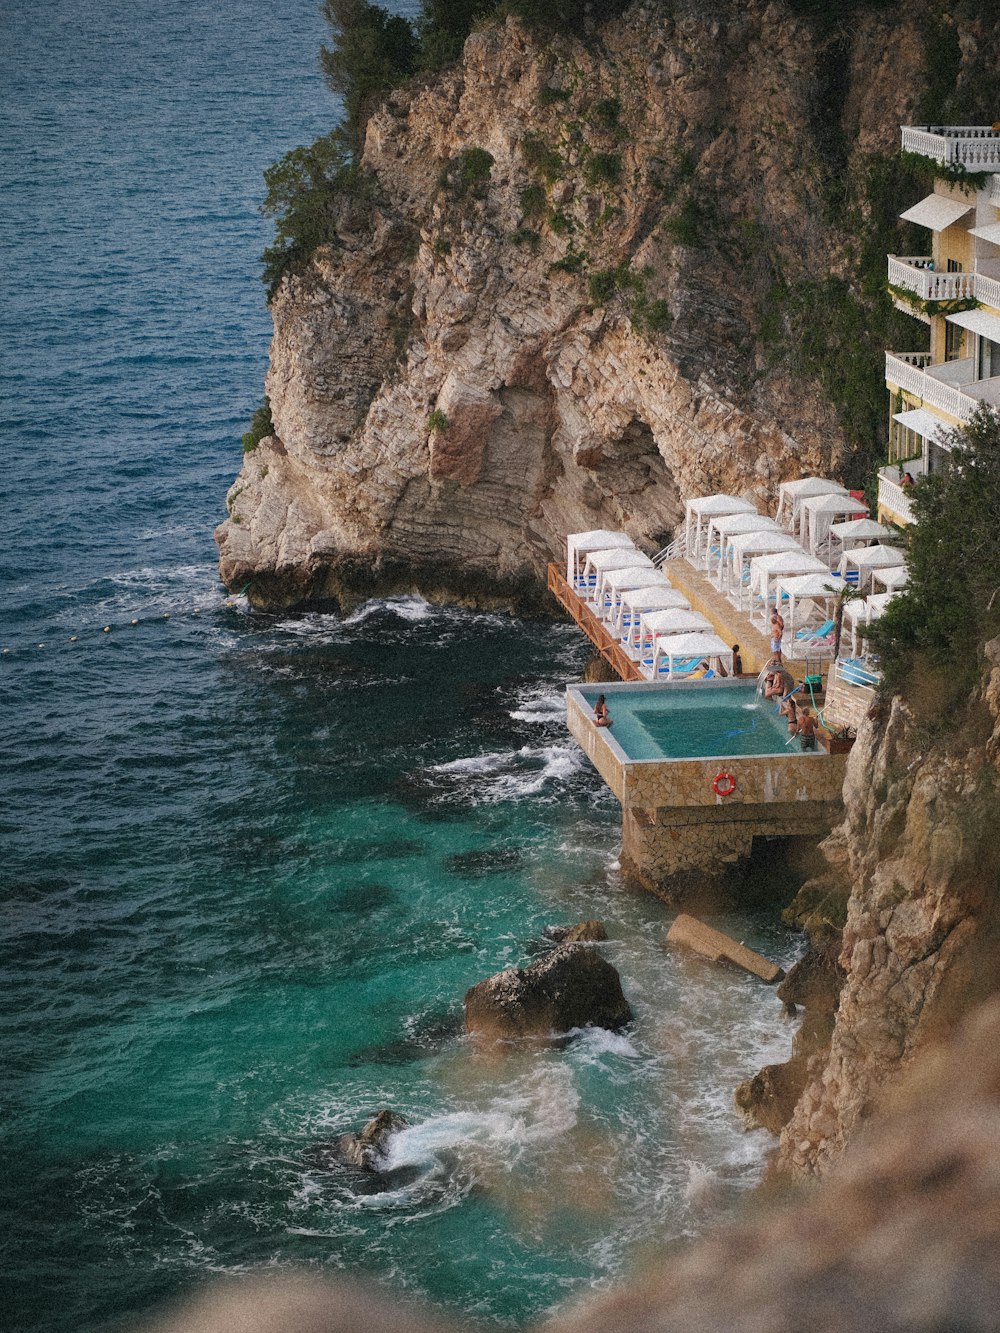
point(701, 722)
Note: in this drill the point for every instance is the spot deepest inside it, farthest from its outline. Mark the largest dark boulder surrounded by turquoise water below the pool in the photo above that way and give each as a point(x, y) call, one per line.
point(569, 988)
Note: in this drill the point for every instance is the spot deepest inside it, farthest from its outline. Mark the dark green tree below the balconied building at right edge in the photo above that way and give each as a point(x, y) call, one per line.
point(951, 606)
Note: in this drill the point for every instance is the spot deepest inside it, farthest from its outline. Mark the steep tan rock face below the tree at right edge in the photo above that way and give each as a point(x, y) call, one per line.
point(921, 855)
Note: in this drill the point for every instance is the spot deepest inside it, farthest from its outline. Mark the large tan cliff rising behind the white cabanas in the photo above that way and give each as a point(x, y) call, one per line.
point(549, 309)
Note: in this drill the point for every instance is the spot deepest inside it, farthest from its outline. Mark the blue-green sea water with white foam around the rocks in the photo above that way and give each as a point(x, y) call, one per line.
point(251, 863)
